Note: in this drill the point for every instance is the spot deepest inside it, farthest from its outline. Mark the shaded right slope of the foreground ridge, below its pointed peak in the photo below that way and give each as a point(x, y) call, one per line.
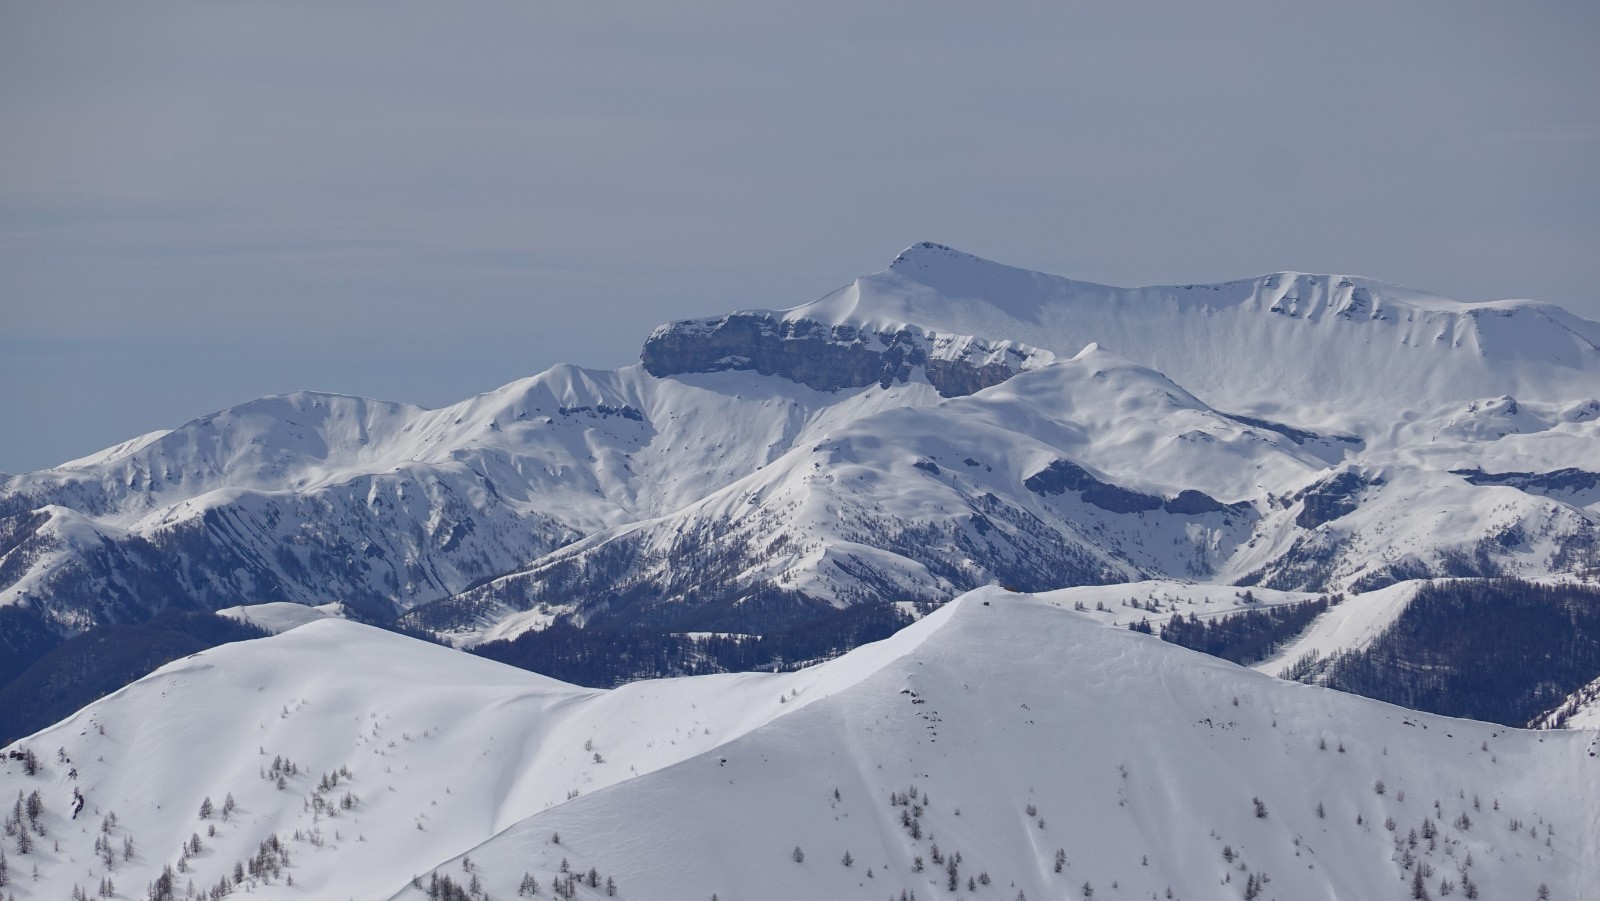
point(1025, 729)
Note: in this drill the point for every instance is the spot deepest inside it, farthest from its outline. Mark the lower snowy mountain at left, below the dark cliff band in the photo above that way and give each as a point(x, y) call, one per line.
point(313, 499)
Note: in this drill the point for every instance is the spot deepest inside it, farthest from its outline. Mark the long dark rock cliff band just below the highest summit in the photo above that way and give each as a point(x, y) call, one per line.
point(818, 356)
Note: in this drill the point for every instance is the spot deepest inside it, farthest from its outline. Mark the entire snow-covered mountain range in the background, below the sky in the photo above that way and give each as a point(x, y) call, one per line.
point(927, 430)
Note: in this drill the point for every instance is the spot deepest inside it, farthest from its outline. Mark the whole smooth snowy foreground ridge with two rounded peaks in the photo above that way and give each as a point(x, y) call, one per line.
point(1004, 747)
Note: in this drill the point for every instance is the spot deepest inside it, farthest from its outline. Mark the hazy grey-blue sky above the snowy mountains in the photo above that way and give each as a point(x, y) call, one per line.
point(204, 204)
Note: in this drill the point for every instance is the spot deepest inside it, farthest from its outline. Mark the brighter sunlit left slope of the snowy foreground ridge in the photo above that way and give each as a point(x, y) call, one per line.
point(441, 751)
